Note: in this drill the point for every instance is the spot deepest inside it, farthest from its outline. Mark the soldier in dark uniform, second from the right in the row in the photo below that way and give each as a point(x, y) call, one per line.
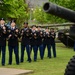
point(46, 42)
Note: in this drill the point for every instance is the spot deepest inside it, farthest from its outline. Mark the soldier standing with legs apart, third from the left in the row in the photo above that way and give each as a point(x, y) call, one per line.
point(25, 42)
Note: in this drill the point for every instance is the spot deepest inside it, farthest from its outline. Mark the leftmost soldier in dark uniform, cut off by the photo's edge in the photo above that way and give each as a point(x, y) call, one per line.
point(3, 35)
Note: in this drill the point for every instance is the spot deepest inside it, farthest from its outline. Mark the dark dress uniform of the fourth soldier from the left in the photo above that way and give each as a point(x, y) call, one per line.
point(34, 43)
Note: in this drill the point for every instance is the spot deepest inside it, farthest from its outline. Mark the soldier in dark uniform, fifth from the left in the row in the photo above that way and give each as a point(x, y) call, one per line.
point(40, 41)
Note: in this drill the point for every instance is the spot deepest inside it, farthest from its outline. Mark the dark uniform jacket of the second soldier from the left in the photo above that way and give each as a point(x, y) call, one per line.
point(13, 40)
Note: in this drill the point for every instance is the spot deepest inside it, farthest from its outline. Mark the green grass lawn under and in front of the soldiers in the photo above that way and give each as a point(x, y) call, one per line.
point(53, 66)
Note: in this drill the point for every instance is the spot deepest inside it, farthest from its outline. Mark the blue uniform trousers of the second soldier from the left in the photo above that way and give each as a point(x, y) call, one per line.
point(16, 51)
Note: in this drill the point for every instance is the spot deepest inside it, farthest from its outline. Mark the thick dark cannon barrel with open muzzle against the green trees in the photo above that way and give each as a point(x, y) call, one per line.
point(59, 11)
